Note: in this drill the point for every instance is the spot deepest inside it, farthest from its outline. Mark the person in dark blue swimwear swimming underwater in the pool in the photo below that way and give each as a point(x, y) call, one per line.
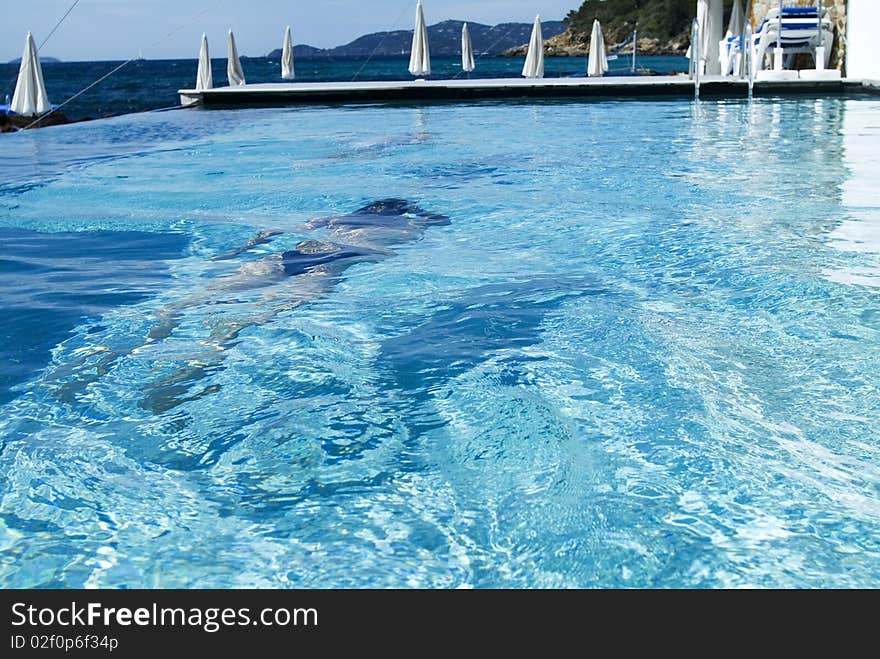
point(281, 281)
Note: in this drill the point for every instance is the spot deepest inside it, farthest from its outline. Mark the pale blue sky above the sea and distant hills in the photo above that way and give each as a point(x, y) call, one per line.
point(164, 29)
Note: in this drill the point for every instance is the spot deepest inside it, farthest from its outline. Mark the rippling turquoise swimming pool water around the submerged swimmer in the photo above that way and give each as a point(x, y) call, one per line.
point(606, 344)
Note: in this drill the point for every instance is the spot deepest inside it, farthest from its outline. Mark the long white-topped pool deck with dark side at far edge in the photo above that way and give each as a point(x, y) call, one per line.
point(296, 93)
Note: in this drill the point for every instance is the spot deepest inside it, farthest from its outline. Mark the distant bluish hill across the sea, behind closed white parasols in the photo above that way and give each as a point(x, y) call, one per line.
point(445, 39)
